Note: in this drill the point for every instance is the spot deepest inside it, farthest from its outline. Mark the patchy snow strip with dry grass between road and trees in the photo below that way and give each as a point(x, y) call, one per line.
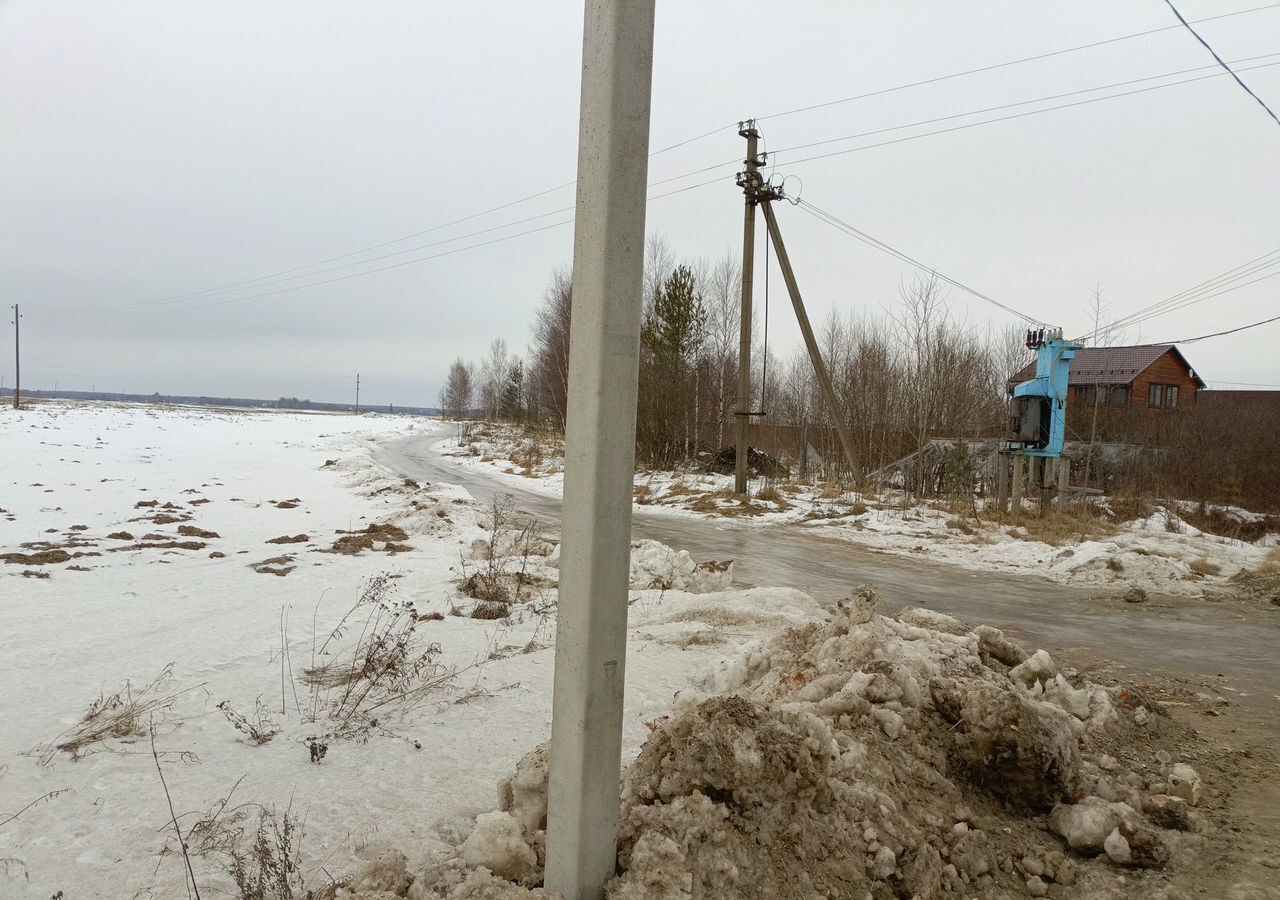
point(1162, 552)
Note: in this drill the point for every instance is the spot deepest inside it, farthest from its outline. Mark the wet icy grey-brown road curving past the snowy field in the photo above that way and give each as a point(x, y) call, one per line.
point(1204, 645)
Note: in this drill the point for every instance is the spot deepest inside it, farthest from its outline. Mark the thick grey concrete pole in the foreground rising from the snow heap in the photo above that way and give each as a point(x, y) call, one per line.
point(600, 442)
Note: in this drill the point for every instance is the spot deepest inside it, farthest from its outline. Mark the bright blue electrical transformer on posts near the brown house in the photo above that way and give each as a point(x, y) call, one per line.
point(1039, 406)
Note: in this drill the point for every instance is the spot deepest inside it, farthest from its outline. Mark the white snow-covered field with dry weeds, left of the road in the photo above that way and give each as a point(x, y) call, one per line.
point(122, 610)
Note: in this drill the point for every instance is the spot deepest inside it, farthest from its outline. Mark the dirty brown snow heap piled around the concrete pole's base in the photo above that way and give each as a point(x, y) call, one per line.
point(866, 757)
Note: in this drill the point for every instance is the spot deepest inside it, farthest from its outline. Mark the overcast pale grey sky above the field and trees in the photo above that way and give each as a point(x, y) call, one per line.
point(157, 150)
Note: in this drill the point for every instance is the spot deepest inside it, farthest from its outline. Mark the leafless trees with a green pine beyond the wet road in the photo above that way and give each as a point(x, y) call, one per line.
point(909, 373)
